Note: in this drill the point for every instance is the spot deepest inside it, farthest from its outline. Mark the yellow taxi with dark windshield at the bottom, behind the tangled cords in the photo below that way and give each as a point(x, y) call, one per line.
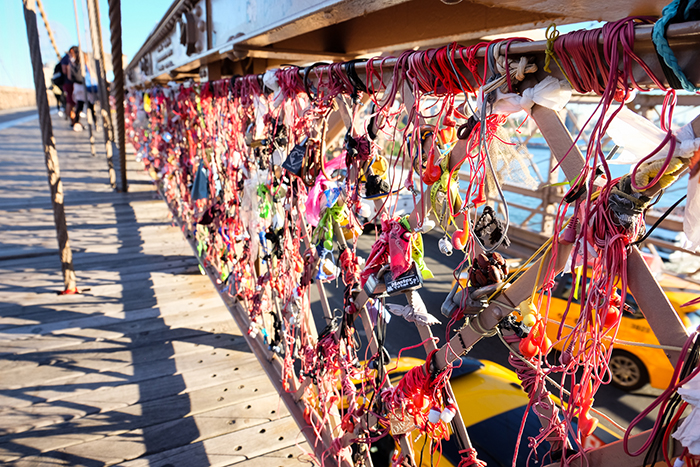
point(492, 405)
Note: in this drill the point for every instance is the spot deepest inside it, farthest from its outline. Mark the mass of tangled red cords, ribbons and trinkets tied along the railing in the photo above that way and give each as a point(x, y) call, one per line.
point(275, 204)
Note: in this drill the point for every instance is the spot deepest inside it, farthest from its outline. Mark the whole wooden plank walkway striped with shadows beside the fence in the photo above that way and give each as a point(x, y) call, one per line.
point(146, 367)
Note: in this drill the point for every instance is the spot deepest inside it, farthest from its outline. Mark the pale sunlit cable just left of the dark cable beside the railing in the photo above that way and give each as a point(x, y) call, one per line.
point(105, 110)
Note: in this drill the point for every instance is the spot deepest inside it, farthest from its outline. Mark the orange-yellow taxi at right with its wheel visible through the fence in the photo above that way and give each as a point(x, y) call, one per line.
point(631, 366)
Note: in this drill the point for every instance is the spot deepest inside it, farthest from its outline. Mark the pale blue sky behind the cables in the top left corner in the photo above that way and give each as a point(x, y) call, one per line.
point(139, 17)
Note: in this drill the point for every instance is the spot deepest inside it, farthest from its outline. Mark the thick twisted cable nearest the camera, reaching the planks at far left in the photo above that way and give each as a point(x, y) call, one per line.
point(47, 139)
